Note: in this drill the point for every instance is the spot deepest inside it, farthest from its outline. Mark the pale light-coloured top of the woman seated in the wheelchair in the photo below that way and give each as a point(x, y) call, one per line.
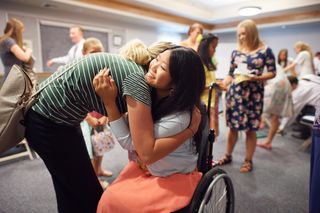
point(182, 160)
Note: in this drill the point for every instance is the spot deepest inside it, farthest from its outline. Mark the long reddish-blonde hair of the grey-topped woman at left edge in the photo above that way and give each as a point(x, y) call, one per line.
point(13, 29)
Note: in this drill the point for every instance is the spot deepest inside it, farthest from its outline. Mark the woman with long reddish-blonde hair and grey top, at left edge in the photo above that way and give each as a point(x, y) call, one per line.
point(11, 46)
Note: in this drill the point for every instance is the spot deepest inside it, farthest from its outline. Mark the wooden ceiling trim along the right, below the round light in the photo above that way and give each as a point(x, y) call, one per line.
point(296, 17)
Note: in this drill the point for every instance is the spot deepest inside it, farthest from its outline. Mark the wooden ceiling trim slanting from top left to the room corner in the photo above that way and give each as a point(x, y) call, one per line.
point(127, 7)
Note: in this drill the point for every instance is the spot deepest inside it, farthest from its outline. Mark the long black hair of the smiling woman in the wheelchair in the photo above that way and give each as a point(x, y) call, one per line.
point(188, 80)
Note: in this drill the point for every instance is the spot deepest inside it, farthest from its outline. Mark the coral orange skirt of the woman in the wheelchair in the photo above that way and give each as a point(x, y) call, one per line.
point(137, 191)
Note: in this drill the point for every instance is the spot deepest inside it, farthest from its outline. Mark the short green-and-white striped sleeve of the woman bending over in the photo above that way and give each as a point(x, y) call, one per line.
point(135, 86)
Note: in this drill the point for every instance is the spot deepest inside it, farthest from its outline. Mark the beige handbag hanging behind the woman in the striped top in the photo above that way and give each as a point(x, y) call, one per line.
point(17, 95)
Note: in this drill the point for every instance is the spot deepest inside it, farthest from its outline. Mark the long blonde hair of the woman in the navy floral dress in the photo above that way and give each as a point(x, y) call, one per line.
point(252, 35)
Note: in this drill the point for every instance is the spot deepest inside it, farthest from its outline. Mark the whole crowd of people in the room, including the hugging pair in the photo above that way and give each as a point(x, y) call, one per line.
point(150, 97)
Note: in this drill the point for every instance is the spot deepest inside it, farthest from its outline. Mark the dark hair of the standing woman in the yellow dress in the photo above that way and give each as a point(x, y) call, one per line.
point(203, 51)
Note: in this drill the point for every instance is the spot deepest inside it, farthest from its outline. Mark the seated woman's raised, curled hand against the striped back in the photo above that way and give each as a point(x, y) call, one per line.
point(105, 86)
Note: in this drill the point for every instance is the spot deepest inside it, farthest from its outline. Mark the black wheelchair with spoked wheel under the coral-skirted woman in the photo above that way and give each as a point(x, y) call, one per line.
point(215, 192)
